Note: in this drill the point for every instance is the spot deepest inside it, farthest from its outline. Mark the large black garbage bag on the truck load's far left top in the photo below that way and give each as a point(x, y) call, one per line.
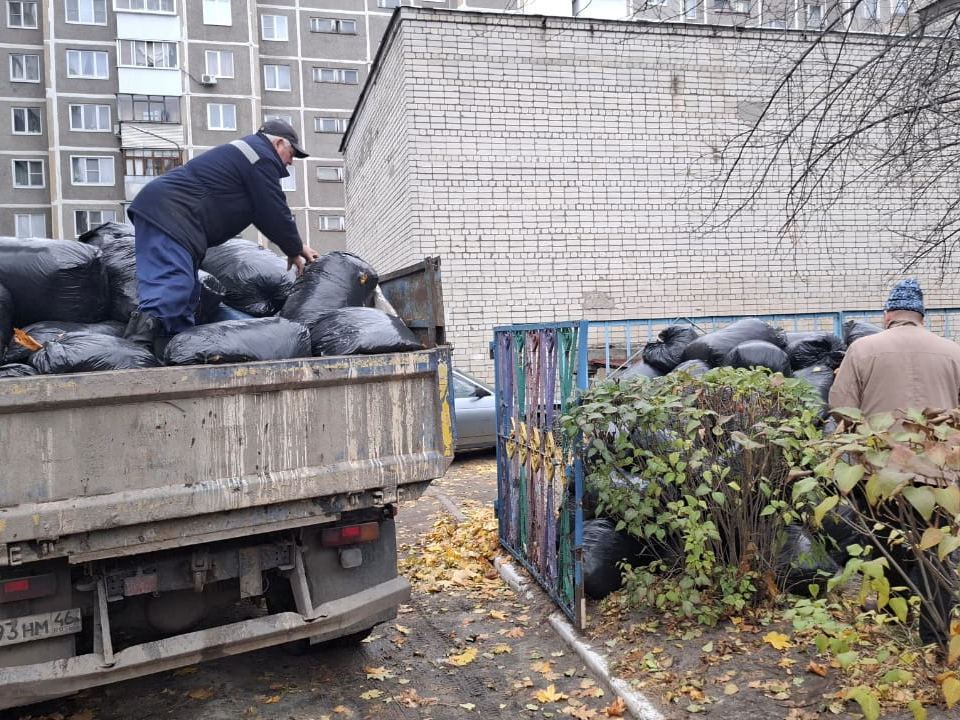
point(54, 280)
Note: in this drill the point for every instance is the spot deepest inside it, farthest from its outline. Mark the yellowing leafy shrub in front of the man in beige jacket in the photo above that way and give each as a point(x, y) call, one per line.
point(899, 484)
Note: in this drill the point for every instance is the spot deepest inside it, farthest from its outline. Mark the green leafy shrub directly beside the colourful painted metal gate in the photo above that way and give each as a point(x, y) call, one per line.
point(699, 467)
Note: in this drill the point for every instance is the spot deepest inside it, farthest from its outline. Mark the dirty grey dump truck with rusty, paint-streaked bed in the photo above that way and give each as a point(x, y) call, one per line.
point(154, 518)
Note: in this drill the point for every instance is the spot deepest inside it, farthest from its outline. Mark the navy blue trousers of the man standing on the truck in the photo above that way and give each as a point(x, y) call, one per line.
point(166, 278)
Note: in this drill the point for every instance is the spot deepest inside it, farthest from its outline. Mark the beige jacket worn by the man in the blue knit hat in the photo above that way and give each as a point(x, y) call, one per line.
point(904, 367)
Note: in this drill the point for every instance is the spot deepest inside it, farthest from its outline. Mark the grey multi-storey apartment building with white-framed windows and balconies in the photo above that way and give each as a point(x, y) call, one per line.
point(101, 96)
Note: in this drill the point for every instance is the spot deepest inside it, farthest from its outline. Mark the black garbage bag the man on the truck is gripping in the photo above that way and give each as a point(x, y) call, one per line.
point(338, 279)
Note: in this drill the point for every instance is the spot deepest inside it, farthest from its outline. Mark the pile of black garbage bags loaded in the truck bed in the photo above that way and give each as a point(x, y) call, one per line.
point(64, 306)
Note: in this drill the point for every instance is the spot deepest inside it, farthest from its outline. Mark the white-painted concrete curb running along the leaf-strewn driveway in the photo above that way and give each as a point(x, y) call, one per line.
point(637, 705)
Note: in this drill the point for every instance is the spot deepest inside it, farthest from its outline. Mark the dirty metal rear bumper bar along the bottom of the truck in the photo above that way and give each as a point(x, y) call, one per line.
point(28, 684)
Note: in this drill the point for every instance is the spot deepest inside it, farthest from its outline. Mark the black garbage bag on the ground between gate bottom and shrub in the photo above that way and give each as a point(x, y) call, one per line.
point(603, 548)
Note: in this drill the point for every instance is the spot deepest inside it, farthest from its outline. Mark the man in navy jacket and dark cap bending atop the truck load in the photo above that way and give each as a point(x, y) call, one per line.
point(201, 204)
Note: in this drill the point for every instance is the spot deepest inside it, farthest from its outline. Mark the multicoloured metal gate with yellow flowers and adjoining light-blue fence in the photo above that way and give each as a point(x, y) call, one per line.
point(539, 371)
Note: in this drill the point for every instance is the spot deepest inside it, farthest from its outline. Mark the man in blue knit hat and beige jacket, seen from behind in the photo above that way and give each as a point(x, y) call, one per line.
point(903, 368)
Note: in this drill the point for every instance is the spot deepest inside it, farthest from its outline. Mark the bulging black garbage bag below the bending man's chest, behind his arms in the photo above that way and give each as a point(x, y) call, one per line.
point(255, 280)
